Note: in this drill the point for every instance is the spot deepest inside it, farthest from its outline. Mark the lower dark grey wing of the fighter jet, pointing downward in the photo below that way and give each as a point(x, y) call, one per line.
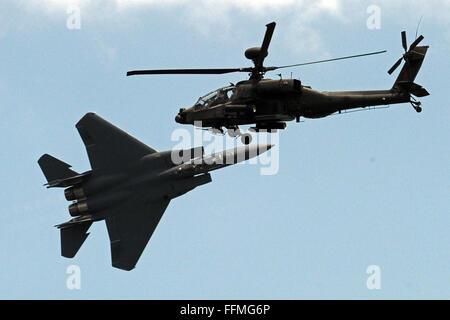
point(130, 228)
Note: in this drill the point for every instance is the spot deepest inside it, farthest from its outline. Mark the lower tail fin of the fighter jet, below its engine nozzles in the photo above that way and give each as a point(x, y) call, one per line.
point(73, 236)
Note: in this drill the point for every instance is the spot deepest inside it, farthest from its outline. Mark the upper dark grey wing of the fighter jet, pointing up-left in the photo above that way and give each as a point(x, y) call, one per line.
point(108, 146)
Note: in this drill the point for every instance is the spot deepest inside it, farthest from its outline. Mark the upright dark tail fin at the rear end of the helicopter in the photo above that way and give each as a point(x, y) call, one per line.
point(410, 69)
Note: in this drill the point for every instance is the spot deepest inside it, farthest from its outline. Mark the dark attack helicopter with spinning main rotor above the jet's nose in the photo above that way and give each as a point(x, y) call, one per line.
point(269, 104)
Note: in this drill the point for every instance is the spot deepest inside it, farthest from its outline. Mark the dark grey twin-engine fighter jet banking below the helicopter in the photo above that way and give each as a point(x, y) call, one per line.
point(130, 186)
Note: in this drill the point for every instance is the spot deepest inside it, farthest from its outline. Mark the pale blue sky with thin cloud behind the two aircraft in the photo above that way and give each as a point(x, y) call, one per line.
point(352, 190)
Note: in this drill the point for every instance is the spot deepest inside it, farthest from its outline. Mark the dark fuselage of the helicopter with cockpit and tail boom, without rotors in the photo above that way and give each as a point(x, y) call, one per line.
point(269, 103)
